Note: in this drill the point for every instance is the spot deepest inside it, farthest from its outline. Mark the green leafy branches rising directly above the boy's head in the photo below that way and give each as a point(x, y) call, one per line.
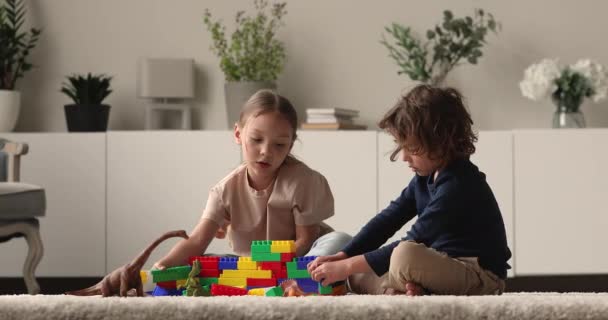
point(447, 45)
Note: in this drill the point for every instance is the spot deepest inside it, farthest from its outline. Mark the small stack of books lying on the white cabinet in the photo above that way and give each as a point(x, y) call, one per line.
point(331, 119)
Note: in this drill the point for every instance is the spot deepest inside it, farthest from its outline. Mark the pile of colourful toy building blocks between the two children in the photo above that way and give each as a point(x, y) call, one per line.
point(271, 263)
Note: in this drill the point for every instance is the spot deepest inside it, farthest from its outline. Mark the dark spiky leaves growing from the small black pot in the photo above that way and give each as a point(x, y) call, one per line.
point(89, 90)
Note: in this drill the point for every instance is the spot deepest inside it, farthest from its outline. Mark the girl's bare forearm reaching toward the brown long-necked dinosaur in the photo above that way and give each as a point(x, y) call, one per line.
point(199, 240)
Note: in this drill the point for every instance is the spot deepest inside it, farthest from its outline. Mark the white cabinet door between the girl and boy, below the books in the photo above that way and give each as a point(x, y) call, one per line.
point(348, 160)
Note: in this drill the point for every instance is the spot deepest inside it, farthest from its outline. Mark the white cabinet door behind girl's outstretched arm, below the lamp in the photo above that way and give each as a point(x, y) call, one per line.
point(159, 181)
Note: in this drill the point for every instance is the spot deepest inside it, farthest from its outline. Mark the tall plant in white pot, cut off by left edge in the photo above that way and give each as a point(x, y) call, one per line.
point(15, 47)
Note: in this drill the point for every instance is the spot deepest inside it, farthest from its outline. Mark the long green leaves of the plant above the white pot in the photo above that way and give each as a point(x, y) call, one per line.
point(15, 46)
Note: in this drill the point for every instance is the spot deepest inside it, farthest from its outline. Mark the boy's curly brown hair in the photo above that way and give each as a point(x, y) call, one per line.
point(435, 120)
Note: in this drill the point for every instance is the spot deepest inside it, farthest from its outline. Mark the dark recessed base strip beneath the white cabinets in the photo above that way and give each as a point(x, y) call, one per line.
point(570, 283)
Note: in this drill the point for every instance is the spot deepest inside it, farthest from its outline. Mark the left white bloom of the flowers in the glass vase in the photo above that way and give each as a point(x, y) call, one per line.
point(539, 79)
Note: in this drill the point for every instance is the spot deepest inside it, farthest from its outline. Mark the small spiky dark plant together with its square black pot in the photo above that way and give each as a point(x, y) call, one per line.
point(87, 113)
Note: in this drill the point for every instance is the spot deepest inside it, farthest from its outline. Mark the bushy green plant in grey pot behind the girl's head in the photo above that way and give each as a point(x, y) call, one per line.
point(253, 58)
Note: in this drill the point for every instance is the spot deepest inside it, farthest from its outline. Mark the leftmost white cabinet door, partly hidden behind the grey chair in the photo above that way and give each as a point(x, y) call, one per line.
point(71, 169)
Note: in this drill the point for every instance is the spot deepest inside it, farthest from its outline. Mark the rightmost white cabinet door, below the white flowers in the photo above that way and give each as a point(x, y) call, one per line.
point(561, 187)
